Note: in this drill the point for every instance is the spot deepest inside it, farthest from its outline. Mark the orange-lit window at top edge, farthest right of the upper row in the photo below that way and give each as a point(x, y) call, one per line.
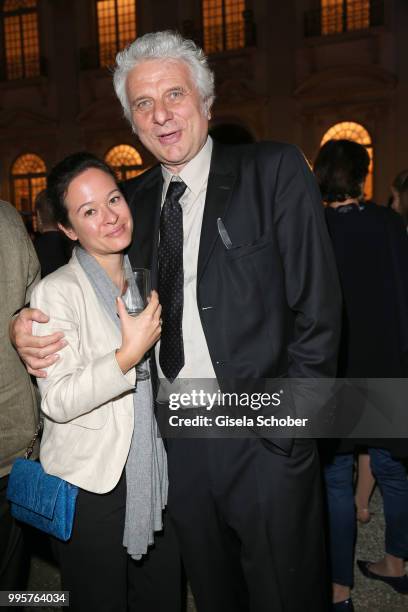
point(344, 15)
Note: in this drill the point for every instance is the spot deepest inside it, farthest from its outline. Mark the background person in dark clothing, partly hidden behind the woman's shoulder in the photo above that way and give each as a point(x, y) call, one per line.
point(52, 247)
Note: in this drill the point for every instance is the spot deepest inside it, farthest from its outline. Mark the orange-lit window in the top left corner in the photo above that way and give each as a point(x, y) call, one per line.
point(21, 43)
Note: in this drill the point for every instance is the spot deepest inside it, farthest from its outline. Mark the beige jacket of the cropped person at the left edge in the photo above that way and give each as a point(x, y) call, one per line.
point(19, 272)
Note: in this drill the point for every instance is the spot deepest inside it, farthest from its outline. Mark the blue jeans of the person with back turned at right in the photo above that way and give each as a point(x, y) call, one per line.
point(391, 477)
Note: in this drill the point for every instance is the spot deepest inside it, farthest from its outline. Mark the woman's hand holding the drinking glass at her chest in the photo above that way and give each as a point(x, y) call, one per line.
point(139, 333)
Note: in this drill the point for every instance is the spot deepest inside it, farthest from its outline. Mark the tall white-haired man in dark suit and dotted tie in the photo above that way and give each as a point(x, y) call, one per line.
point(238, 247)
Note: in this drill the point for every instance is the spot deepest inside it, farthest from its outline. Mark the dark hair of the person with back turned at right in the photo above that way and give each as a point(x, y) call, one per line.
point(341, 168)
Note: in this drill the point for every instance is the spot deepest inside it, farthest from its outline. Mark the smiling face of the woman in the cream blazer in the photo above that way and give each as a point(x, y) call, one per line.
point(99, 215)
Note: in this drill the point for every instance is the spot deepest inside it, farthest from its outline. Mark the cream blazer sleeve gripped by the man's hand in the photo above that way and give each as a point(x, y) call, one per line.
point(74, 386)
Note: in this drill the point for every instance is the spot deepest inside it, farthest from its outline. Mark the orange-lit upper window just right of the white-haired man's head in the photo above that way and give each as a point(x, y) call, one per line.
point(224, 26)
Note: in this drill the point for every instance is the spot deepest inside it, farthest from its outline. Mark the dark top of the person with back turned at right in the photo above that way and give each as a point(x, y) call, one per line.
point(371, 250)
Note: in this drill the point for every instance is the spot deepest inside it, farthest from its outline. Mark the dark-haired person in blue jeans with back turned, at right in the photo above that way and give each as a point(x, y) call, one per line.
point(371, 248)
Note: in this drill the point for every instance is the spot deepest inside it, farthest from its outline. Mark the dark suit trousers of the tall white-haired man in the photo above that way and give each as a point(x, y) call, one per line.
point(249, 524)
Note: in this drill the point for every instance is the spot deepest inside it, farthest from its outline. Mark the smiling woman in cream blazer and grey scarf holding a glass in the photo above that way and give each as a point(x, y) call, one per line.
point(100, 432)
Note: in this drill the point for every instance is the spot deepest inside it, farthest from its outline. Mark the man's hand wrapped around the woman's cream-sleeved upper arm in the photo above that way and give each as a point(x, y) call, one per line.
point(36, 352)
